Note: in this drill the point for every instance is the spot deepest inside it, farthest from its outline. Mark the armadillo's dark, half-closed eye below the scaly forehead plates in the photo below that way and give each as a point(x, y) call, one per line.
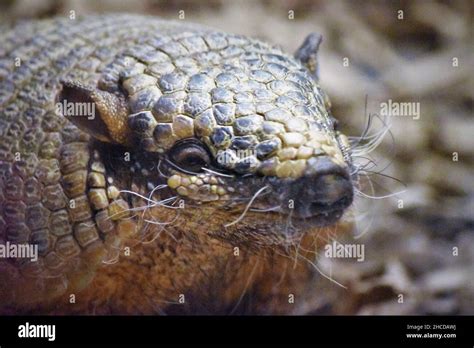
point(190, 156)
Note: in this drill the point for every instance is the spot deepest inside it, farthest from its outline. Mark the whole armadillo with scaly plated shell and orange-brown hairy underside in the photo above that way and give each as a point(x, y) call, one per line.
point(210, 165)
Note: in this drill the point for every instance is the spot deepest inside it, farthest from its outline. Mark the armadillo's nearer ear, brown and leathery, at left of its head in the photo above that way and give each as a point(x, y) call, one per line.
point(101, 114)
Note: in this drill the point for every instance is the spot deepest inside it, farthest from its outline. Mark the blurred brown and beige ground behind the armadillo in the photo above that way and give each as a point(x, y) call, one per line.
point(419, 241)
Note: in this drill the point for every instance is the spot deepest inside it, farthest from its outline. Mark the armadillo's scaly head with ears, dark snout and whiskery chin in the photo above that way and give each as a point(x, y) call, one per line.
point(235, 140)
